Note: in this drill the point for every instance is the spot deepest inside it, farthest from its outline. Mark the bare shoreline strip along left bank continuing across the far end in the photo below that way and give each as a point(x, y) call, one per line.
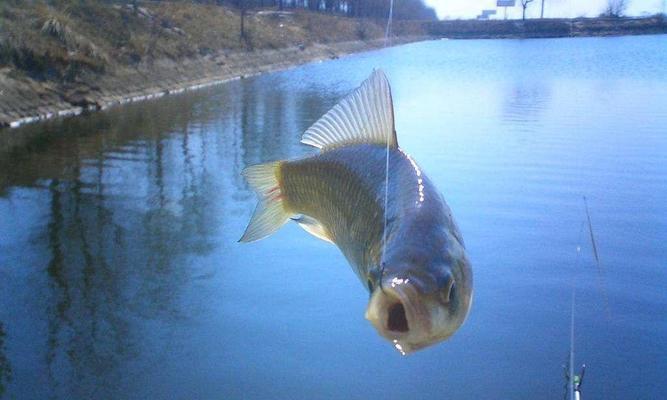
point(25, 101)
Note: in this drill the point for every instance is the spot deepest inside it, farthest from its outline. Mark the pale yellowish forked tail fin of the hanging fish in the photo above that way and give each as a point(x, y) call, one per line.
point(270, 213)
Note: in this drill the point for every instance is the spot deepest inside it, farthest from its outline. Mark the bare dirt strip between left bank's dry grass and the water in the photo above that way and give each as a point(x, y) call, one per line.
point(164, 78)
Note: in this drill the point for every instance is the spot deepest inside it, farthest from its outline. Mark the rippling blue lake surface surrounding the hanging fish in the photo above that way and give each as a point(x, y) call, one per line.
point(121, 276)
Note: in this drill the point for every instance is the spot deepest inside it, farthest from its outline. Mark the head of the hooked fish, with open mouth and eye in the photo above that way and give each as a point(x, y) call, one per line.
point(420, 301)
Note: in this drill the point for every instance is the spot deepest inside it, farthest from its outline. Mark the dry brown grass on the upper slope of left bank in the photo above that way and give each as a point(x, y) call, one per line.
point(63, 41)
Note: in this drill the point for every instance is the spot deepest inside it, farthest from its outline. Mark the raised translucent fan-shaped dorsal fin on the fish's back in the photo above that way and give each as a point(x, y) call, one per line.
point(364, 116)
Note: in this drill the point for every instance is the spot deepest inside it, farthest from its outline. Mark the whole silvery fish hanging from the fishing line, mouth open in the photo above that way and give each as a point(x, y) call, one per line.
point(366, 195)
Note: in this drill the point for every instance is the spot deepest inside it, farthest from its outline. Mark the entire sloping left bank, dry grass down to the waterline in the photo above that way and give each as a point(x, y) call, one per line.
point(58, 60)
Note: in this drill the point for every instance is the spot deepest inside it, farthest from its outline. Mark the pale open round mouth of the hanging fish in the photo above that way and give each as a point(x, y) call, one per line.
point(398, 314)
